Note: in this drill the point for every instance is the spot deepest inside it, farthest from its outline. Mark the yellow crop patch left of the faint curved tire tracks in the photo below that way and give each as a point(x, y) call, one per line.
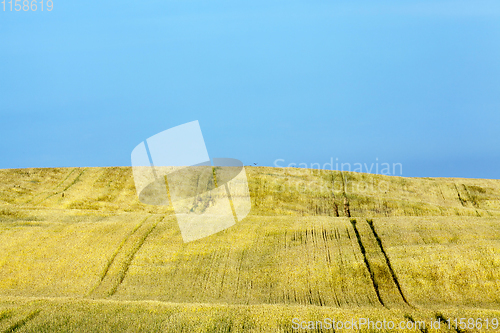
point(57, 257)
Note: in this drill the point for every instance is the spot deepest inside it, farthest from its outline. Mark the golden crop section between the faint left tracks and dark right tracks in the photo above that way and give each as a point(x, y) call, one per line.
point(261, 260)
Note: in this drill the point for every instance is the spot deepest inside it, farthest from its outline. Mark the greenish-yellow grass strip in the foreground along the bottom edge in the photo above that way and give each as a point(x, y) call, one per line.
point(71, 315)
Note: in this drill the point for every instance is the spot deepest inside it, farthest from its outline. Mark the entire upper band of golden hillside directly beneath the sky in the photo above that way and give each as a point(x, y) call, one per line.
point(274, 191)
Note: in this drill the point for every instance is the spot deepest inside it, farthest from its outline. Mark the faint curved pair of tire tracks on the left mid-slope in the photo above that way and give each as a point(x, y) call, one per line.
point(118, 265)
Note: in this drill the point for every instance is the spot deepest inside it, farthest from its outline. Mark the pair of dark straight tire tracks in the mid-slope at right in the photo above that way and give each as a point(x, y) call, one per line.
point(384, 279)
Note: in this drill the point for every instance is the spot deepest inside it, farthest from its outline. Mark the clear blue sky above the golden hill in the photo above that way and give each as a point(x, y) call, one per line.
point(410, 82)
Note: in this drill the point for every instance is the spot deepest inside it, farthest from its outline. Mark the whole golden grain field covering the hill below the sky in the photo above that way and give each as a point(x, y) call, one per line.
point(81, 253)
